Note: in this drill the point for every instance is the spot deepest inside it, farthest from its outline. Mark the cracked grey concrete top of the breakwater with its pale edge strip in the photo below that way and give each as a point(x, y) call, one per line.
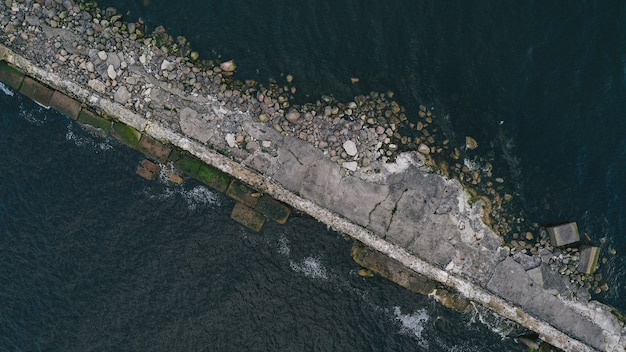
point(417, 218)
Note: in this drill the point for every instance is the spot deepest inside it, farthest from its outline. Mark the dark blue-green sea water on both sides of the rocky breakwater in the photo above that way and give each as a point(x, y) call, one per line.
point(94, 258)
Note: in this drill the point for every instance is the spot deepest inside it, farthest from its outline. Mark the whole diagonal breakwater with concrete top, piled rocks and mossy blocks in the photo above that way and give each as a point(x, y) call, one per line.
point(422, 221)
